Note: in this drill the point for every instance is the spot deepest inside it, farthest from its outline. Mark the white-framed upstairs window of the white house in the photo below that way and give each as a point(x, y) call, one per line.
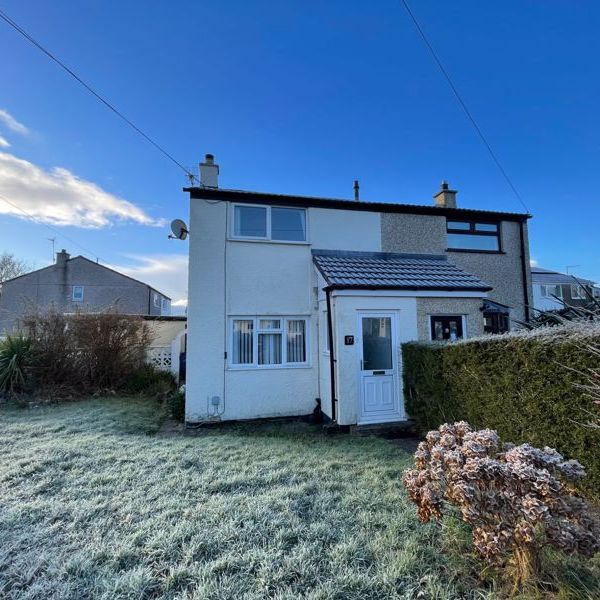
point(270, 223)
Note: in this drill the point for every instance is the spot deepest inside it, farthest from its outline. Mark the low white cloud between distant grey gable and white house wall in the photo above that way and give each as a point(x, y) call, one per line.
point(165, 272)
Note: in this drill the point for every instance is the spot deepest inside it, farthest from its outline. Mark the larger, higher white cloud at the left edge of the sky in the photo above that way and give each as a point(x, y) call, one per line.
point(60, 197)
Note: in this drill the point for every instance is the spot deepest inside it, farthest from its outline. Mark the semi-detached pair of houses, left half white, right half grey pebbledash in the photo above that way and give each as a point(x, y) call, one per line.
point(296, 301)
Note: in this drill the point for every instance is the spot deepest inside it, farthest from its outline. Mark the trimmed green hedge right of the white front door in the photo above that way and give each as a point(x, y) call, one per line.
point(523, 385)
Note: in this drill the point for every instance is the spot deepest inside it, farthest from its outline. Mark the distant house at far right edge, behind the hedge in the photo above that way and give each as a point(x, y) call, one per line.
point(552, 290)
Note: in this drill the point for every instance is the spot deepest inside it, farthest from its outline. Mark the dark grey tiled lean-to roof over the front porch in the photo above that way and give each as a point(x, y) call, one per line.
point(384, 270)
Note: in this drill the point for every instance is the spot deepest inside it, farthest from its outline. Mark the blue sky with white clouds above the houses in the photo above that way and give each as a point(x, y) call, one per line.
point(295, 97)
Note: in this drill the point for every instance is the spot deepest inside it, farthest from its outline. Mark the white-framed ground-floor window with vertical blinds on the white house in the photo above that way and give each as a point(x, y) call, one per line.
point(269, 342)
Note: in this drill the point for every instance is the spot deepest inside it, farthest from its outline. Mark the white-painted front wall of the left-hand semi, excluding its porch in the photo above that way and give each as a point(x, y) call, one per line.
point(234, 278)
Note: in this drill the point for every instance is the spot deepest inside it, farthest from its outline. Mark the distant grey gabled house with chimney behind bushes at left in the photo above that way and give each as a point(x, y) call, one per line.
point(72, 284)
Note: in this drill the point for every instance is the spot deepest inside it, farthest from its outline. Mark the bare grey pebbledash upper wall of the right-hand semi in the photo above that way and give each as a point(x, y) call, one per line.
point(503, 271)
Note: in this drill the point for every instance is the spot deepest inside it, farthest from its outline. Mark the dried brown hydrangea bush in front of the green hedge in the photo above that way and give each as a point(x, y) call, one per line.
point(515, 498)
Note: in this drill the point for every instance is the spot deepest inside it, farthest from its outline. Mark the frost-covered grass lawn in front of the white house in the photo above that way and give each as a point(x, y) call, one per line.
point(93, 505)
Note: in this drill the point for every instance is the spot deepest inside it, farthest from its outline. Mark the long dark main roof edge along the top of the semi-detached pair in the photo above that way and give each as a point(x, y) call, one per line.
point(385, 207)
